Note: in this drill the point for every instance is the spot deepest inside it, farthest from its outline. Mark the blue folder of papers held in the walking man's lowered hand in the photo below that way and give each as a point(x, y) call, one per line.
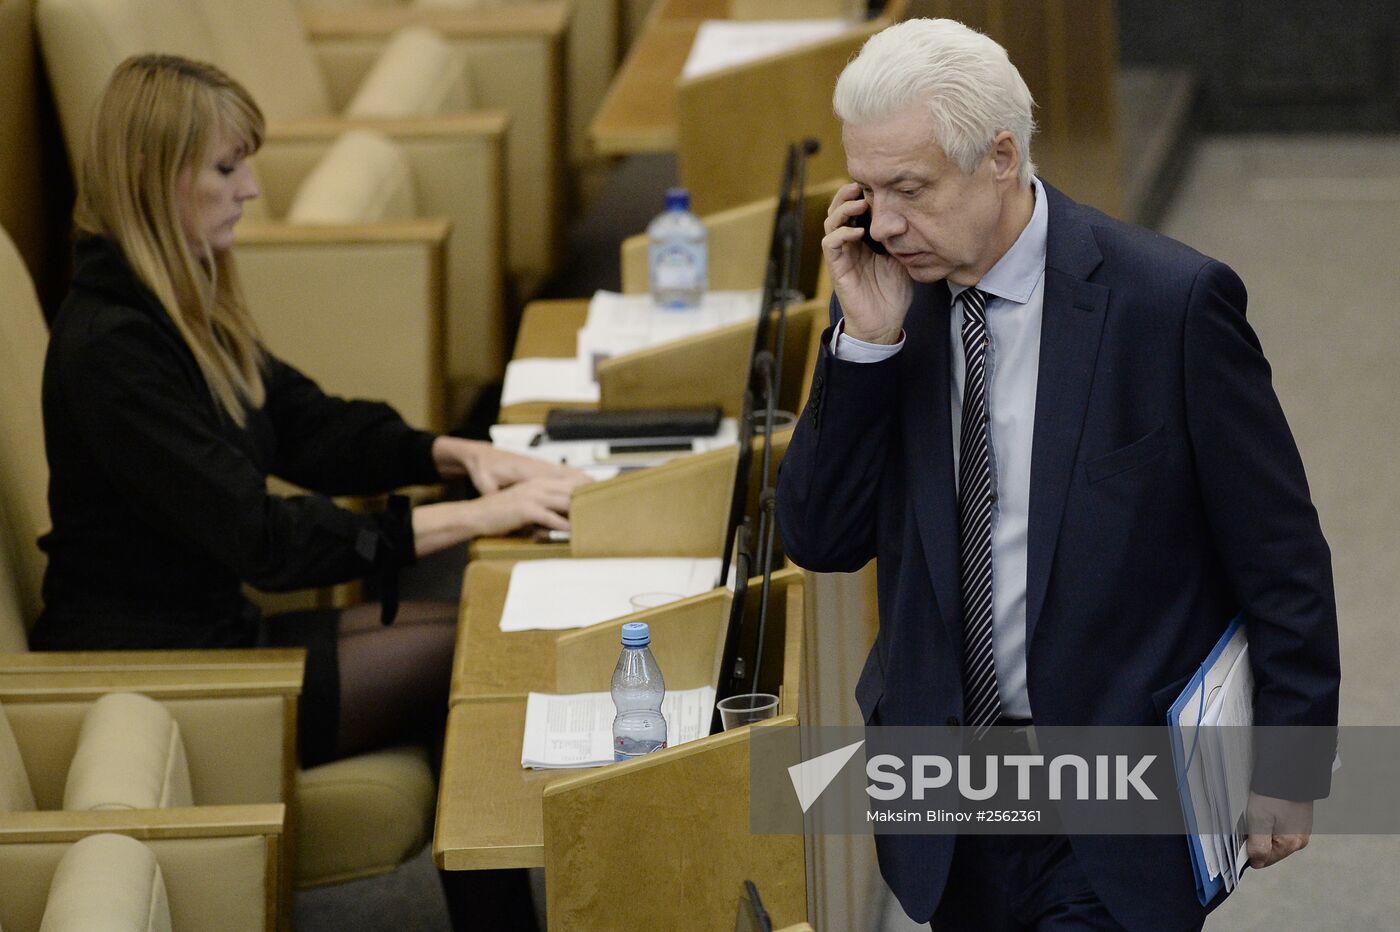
point(1214, 759)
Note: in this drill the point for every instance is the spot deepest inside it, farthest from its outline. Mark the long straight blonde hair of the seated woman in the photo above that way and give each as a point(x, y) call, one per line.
point(157, 120)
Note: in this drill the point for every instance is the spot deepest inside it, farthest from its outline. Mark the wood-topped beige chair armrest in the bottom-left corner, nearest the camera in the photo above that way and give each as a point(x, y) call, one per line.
point(220, 864)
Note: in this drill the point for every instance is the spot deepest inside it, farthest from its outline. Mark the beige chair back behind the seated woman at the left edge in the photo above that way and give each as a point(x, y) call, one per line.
point(24, 469)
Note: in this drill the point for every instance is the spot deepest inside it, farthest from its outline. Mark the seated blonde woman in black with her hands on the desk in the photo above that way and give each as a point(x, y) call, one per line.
point(164, 416)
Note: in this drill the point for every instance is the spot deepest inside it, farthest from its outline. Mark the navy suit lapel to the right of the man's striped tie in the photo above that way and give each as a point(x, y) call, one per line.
point(1070, 331)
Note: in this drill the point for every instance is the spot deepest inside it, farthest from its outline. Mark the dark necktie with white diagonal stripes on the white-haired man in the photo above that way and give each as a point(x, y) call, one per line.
point(982, 703)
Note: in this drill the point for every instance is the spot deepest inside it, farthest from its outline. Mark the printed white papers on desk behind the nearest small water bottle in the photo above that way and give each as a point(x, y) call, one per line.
point(576, 731)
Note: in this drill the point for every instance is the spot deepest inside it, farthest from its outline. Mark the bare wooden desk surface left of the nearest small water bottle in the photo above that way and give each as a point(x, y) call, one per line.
point(491, 812)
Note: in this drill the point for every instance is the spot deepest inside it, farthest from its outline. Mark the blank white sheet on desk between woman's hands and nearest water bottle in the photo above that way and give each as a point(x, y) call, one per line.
point(572, 594)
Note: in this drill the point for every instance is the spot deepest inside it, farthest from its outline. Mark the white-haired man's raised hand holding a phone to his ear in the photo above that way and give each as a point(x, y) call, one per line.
point(874, 290)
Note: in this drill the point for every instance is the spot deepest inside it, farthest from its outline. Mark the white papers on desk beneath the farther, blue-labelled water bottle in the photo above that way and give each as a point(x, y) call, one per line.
point(621, 324)
